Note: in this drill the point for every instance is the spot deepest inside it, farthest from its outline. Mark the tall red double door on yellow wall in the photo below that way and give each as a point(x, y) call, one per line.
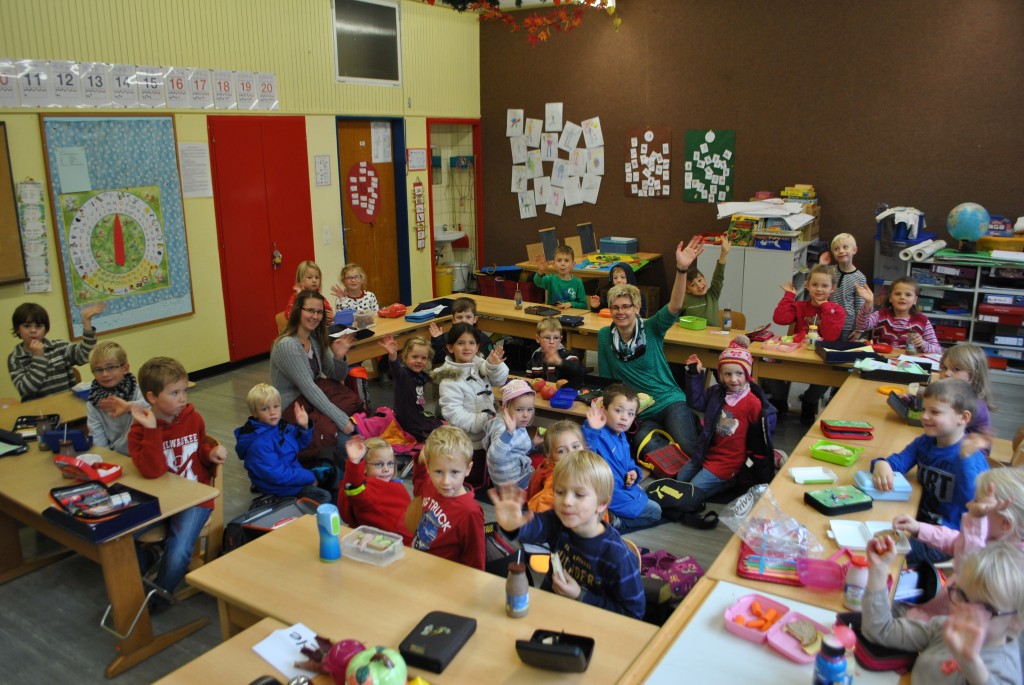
point(262, 199)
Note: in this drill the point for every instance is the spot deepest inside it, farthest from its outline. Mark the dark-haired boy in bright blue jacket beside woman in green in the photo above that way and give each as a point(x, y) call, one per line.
point(606, 435)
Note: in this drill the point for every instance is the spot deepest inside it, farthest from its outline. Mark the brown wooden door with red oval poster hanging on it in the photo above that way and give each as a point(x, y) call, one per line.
point(373, 245)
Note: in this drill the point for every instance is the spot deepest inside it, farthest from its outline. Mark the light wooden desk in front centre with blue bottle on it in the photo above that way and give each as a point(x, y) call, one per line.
point(281, 576)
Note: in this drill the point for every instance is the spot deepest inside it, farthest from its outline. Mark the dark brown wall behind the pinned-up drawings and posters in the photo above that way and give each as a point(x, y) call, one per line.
point(913, 103)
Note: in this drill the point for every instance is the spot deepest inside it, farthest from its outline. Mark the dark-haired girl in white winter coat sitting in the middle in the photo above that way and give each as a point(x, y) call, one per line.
point(464, 384)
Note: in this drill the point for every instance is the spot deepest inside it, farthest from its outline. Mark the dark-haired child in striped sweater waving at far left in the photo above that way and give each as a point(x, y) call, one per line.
point(39, 367)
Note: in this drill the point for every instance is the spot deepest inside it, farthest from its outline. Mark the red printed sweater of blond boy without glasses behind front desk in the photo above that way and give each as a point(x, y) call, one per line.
point(452, 528)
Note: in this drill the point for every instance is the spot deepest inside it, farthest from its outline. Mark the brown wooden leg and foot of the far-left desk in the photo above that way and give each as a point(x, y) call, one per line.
point(124, 588)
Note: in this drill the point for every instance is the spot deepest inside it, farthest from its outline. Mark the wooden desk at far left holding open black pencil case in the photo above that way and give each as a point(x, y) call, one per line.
point(25, 485)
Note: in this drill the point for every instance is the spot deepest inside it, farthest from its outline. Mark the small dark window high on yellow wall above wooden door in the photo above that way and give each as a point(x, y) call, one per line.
point(368, 41)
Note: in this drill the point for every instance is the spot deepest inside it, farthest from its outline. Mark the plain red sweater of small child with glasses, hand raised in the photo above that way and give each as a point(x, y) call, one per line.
point(374, 502)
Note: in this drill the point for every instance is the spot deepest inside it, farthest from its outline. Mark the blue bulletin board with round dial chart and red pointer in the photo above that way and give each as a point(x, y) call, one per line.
point(119, 219)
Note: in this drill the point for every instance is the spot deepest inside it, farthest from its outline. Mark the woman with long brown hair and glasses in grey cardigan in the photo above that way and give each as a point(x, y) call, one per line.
point(309, 366)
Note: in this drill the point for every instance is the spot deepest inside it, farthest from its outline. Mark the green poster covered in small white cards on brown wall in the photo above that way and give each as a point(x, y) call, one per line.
point(708, 170)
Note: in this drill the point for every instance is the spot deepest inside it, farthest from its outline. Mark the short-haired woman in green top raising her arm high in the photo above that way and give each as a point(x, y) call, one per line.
point(632, 351)
